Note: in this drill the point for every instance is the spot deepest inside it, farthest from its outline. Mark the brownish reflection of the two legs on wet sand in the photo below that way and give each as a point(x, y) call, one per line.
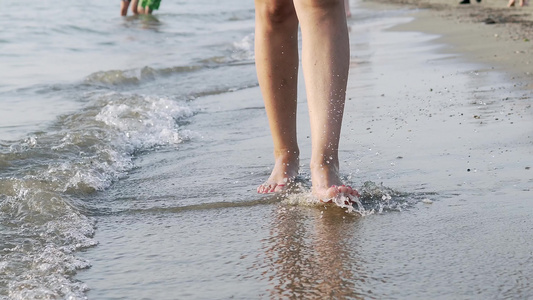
point(311, 254)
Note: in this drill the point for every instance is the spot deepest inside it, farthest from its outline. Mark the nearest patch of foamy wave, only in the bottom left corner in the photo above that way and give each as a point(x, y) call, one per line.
point(36, 259)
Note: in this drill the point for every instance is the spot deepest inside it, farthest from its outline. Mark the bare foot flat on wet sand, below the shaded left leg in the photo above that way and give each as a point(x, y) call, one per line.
point(284, 172)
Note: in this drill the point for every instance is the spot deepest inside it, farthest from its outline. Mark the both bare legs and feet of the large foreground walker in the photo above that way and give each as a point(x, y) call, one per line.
point(325, 61)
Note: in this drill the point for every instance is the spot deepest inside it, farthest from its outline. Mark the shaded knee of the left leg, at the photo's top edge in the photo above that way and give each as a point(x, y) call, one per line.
point(275, 12)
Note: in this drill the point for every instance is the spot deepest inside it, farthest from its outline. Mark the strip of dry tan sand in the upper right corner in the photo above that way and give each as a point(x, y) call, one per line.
point(488, 32)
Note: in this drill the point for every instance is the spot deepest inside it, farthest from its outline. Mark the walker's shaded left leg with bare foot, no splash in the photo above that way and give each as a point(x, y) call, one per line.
point(276, 56)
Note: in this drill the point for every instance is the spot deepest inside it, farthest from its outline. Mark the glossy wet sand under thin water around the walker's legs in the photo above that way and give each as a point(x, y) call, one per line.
point(437, 138)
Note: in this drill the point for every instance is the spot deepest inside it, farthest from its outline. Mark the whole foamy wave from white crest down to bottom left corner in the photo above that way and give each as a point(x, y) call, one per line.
point(44, 179)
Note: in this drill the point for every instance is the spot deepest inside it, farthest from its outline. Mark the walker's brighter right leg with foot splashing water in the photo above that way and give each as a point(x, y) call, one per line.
point(325, 60)
